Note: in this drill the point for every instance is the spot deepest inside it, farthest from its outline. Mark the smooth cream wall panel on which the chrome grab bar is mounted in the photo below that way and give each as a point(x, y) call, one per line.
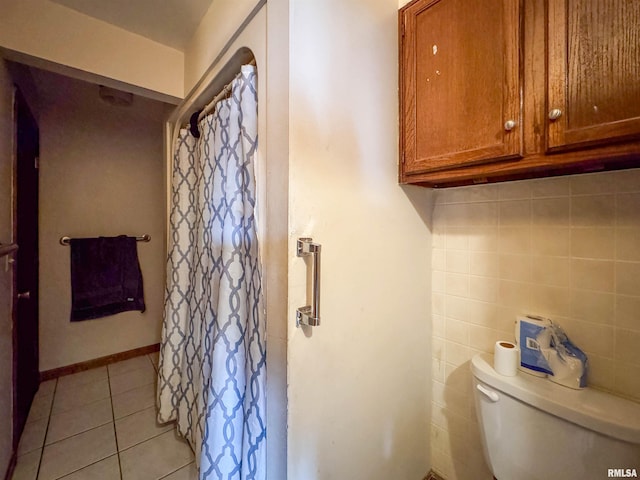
point(359, 383)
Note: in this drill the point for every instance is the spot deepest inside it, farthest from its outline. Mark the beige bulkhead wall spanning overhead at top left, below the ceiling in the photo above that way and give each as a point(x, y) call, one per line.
point(44, 31)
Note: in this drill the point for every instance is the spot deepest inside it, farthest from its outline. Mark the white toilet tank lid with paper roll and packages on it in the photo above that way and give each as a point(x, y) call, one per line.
point(593, 409)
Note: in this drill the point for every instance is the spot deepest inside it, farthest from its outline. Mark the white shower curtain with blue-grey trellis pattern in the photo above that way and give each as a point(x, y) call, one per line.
point(212, 367)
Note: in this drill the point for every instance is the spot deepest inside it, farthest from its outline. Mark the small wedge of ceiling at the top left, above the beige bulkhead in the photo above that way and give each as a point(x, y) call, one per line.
point(169, 22)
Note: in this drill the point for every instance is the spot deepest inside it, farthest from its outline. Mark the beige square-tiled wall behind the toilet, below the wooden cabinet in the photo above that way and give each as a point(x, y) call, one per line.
point(565, 247)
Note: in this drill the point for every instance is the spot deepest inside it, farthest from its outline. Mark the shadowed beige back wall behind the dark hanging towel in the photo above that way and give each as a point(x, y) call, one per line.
point(101, 173)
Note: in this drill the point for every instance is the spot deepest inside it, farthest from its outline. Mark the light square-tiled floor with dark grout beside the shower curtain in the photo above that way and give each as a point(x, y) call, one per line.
point(100, 424)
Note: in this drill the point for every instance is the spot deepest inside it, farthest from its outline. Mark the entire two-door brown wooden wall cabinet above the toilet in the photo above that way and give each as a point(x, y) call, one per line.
point(504, 89)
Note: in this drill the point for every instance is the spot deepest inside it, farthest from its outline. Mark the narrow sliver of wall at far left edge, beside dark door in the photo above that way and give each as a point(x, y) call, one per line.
point(6, 287)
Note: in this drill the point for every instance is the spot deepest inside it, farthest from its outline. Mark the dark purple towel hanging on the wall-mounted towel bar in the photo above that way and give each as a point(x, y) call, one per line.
point(105, 277)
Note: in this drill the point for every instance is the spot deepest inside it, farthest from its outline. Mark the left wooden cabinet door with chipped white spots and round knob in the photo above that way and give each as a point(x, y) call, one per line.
point(460, 83)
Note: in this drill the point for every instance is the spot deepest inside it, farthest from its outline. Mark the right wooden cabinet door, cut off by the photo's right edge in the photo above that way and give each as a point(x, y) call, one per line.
point(594, 72)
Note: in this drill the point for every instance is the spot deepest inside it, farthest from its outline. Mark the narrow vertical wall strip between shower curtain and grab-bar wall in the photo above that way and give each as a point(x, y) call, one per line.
point(276, 194)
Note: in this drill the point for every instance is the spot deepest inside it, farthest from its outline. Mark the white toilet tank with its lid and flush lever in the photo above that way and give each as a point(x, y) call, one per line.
point(534, 429)
